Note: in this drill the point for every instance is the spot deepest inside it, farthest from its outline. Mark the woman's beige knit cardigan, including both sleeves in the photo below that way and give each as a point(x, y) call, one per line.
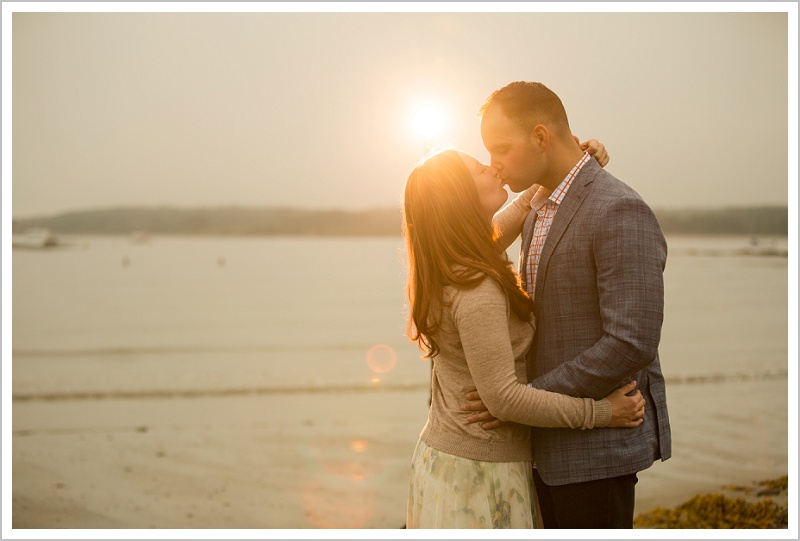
point(483, 346)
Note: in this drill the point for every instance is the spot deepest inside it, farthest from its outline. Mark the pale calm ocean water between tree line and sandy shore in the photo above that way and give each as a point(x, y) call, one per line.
point(282, 314)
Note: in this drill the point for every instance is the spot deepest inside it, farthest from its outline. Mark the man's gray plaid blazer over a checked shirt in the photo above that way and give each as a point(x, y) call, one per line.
point(599, 305)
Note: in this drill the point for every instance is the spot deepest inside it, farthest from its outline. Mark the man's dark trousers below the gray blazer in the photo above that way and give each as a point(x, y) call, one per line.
point(605, 503)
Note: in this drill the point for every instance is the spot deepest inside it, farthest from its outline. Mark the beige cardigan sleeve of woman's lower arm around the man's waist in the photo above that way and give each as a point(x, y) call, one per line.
point(481, 317)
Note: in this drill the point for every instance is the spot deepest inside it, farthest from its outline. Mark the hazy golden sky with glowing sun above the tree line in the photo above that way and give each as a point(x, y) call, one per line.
point(316, 109)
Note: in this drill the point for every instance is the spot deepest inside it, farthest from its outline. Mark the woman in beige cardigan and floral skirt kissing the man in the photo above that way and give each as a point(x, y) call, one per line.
point(472, 318)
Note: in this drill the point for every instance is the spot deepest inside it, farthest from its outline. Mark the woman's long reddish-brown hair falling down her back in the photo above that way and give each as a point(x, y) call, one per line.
point(450, 242)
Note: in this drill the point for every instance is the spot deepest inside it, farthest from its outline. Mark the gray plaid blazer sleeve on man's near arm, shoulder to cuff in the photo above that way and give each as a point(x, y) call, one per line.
point(630, 255)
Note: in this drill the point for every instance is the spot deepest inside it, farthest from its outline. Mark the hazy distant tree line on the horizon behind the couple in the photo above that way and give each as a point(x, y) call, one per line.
point(764, 220)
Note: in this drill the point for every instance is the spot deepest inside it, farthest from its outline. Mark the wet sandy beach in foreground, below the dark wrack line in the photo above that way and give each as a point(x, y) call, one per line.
point(319, 460)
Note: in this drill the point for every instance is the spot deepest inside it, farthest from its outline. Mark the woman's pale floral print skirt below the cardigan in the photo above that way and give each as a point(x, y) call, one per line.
point(448, 491)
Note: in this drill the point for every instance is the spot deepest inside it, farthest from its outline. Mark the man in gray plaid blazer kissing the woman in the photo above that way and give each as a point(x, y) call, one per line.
point(592, 260)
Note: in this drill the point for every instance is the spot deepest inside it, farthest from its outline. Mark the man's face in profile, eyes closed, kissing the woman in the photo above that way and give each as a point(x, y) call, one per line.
point(518, 160)
